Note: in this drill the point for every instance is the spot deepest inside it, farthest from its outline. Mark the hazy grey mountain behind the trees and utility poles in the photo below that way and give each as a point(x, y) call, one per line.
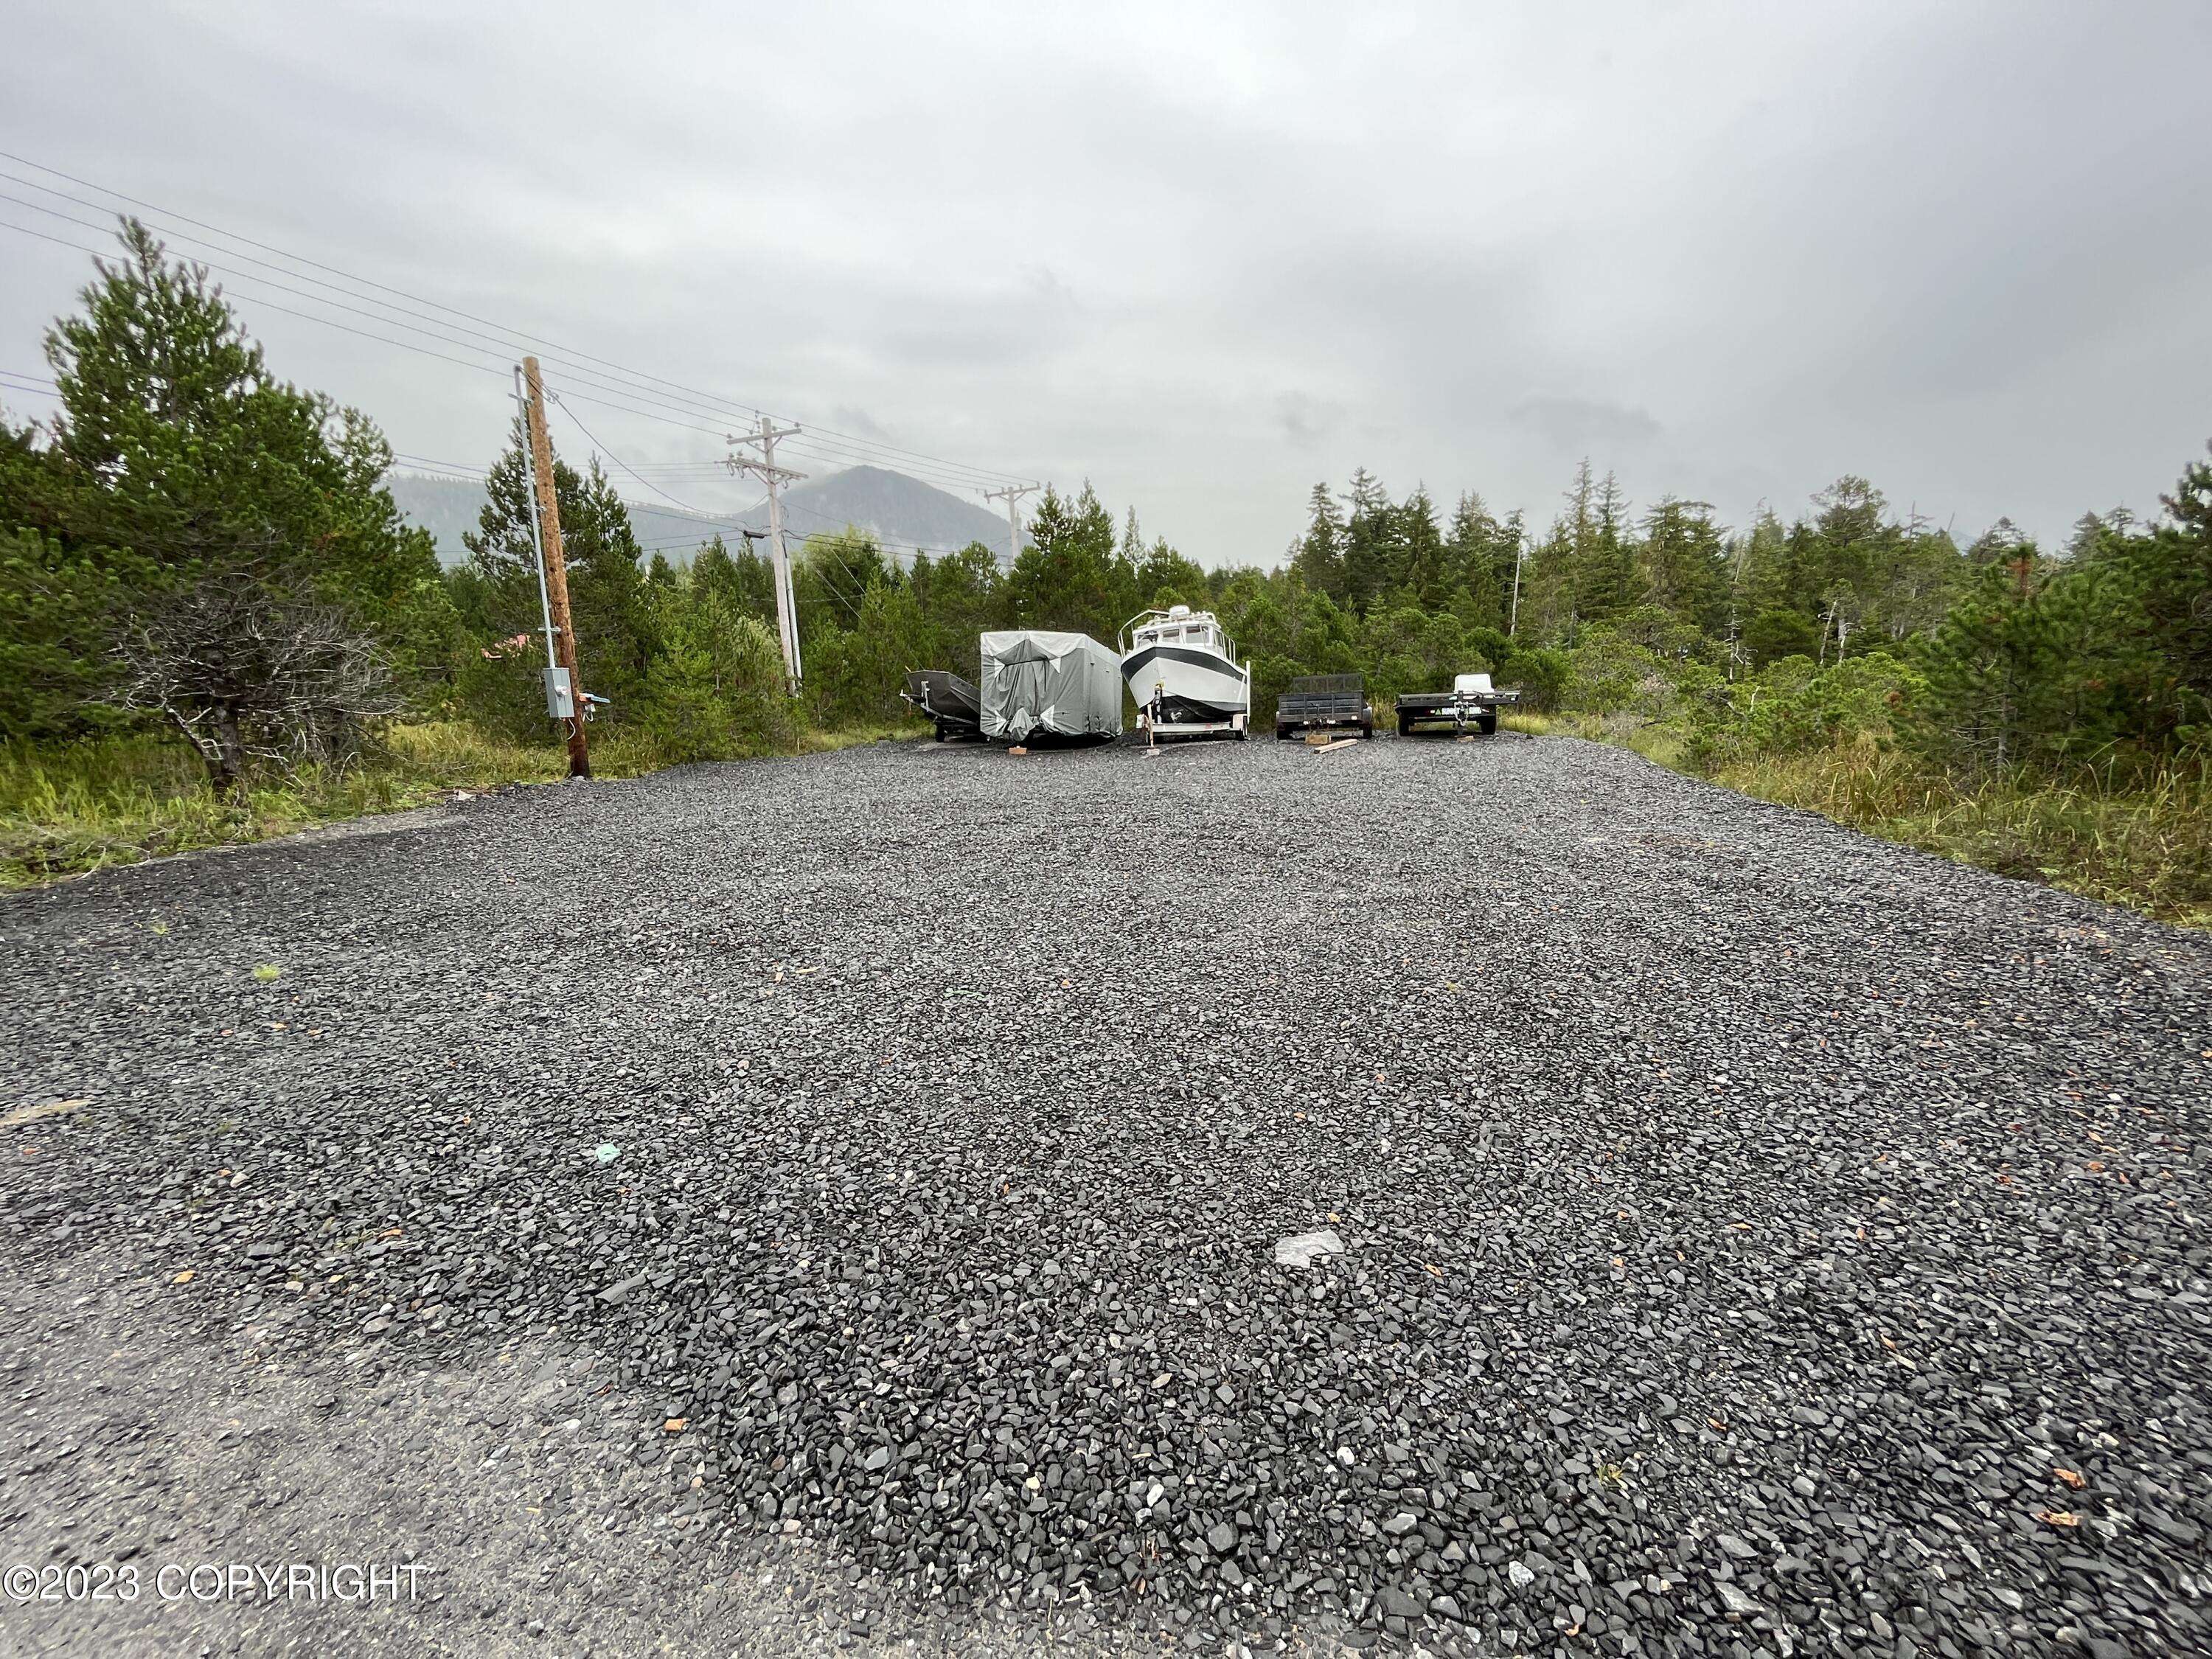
point(899, 512)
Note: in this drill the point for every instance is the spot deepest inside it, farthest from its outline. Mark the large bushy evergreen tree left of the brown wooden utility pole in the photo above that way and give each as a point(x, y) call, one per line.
point(231, 534)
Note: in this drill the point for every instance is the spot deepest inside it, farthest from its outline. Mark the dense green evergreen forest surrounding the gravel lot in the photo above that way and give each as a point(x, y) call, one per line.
point(194, 547)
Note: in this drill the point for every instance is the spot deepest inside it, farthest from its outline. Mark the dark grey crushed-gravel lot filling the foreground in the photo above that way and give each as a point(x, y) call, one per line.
point(1757, 1238)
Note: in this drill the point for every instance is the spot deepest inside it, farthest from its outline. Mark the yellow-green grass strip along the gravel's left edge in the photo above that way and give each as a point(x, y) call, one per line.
point(72, 808)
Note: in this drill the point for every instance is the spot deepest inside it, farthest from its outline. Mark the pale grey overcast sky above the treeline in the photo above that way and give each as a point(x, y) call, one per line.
point(1209, 255)
